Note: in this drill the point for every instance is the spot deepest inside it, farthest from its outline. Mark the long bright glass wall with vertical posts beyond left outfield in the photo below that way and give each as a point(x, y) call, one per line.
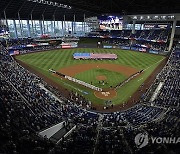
point(36, 28)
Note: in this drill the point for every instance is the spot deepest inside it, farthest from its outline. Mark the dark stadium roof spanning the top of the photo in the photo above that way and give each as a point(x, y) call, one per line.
point(80, 7)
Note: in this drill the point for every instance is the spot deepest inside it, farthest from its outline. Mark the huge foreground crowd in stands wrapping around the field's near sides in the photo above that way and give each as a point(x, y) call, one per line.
point(26, 109)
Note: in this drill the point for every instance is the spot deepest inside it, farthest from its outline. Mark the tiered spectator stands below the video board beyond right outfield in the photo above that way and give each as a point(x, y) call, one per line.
point(141, 40)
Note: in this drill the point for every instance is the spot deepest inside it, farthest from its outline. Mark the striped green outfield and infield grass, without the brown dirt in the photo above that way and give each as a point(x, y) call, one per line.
point(57, 59)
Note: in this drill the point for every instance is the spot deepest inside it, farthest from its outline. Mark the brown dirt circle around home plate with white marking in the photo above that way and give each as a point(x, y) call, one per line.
point(106, 94)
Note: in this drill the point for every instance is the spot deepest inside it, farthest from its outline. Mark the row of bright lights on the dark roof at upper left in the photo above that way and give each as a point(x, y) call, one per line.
point(51, 3)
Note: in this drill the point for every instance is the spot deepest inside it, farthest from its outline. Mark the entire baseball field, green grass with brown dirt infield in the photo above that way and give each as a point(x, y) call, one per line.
point(106, 74)
